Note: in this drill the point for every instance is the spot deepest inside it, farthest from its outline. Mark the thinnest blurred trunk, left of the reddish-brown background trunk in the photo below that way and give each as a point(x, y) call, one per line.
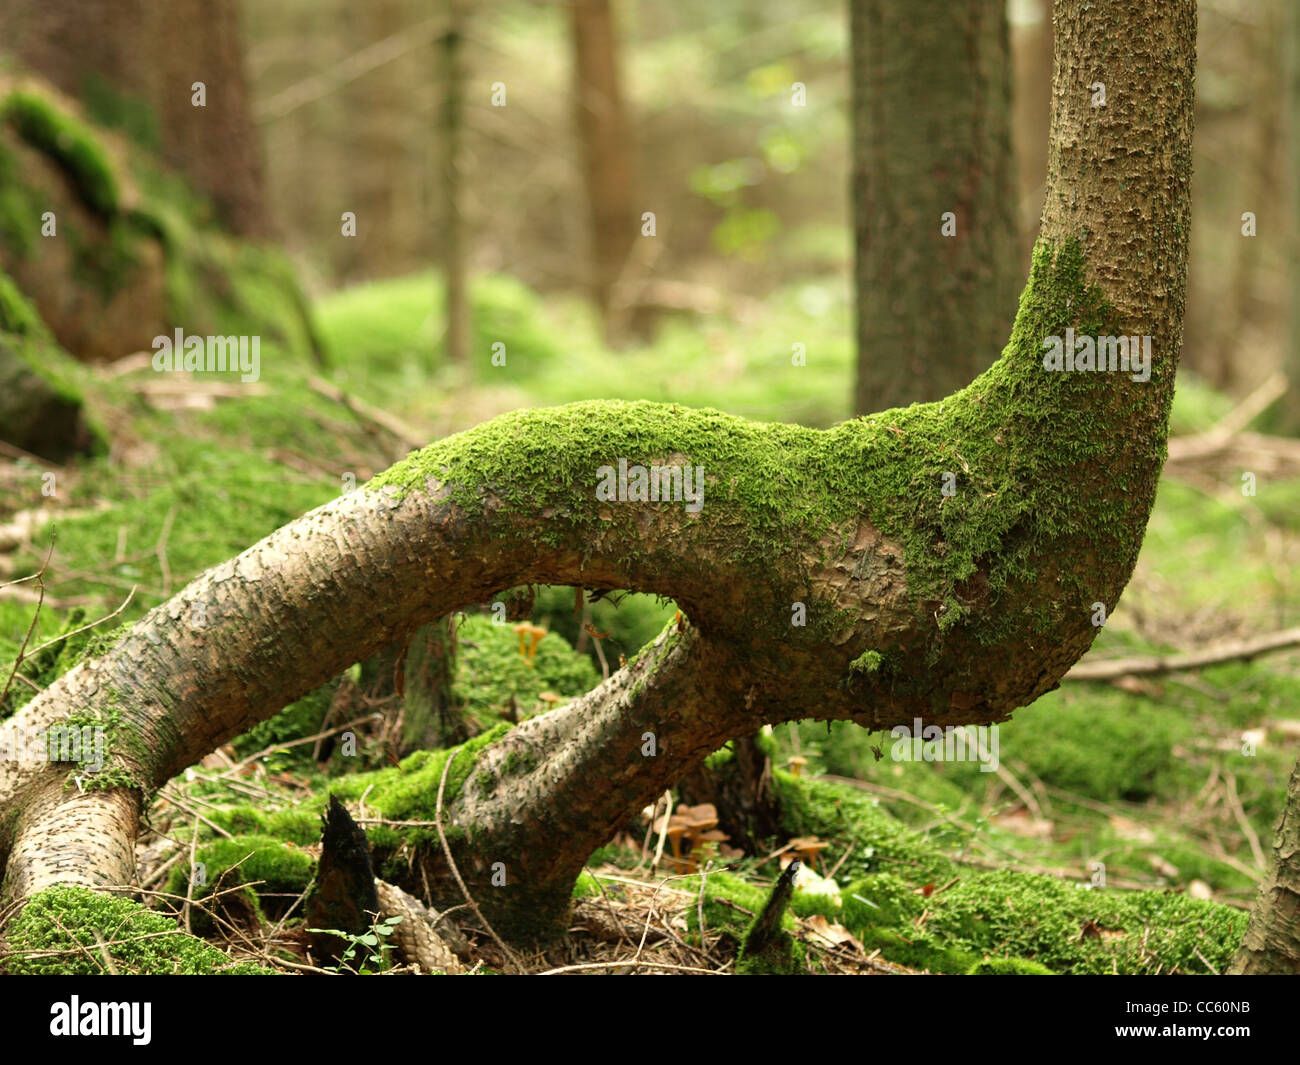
point(456, 254)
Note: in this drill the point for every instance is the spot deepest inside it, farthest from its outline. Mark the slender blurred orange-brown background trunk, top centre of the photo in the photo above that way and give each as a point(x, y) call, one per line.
point(606, 149)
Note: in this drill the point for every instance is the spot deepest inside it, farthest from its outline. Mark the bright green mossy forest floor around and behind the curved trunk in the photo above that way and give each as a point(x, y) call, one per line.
point(1124, 833)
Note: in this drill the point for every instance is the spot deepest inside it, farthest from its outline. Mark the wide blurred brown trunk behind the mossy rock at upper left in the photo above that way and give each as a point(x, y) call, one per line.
point(131, 53)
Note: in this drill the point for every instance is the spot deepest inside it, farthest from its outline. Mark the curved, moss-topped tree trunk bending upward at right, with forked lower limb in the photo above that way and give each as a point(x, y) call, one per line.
point(955, 608)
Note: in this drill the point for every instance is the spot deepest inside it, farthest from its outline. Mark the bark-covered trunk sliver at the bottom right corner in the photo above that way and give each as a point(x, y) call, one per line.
point(1272, 943)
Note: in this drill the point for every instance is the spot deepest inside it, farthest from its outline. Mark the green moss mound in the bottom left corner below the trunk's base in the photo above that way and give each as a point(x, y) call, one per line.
point(75, 932)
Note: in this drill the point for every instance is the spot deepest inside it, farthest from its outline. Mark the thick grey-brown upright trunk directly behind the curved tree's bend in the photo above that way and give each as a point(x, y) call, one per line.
point(931, 136)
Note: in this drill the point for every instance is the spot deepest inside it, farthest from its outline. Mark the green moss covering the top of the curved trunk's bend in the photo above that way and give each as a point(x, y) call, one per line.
point(1019, 439)
